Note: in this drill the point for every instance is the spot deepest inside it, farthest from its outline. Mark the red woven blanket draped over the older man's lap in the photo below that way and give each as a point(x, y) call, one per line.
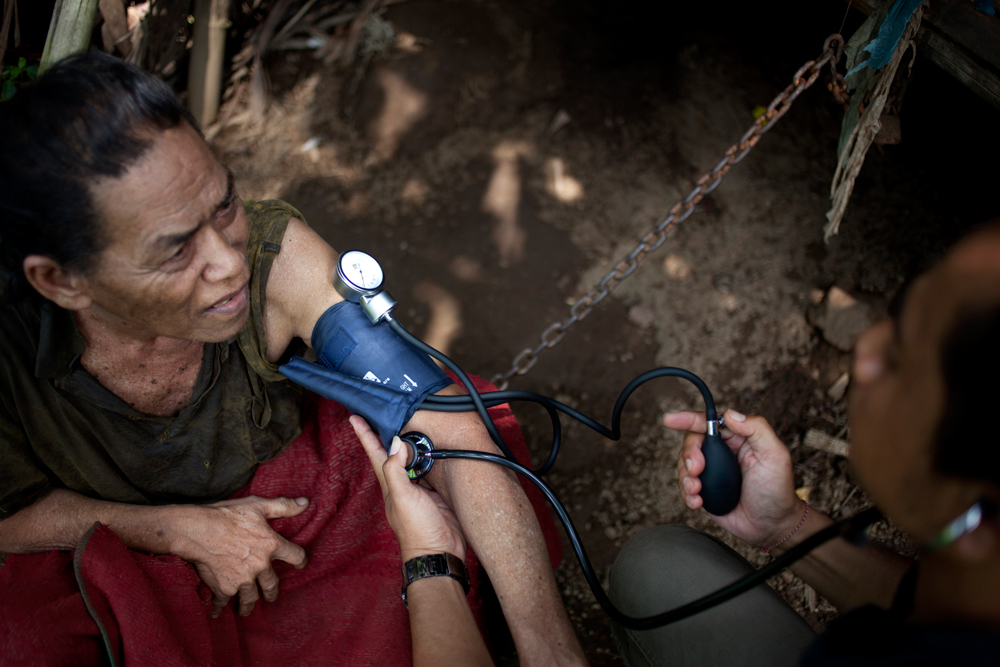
point(78, 608)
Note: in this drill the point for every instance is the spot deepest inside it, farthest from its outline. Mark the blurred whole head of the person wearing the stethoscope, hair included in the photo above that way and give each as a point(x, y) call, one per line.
point(925, 386)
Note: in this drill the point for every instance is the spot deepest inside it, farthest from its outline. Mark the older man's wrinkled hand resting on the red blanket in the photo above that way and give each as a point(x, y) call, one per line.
point(231, 545)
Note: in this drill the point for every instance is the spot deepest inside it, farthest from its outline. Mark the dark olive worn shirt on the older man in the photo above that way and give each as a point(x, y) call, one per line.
point(60, 428)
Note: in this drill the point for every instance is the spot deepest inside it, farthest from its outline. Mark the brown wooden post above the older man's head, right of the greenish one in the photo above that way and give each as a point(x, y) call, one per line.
point(211, 19)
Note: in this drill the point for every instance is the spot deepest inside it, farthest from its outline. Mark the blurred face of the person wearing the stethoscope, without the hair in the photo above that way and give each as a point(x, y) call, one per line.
point(898, 393)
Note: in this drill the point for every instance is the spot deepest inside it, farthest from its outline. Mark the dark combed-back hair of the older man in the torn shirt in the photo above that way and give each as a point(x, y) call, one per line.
point(90, 116)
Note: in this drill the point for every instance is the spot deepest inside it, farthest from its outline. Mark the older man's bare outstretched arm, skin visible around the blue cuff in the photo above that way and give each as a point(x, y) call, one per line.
point(490, 504)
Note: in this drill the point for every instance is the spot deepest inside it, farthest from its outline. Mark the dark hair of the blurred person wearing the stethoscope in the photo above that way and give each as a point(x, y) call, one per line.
point(967, 441)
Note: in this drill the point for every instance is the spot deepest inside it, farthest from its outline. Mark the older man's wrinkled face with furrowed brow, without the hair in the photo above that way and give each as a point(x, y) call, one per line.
point(175, 264)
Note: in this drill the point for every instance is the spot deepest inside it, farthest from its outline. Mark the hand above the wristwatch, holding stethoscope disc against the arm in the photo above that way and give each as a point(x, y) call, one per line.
point(420, 517)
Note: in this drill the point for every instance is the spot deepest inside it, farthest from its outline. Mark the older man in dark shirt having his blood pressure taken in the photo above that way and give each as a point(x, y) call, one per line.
point(147, 310)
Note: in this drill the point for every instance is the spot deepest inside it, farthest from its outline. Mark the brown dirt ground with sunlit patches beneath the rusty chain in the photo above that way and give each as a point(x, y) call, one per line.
point(439, 158)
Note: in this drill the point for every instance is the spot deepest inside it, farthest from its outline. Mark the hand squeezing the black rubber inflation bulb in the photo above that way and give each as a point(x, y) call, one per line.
point(768, 508)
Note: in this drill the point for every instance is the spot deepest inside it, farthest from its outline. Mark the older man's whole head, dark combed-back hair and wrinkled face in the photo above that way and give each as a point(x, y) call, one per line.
point(112, 203)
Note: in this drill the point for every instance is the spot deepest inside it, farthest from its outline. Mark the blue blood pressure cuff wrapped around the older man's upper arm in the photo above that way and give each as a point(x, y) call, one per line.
point(367, 368)
